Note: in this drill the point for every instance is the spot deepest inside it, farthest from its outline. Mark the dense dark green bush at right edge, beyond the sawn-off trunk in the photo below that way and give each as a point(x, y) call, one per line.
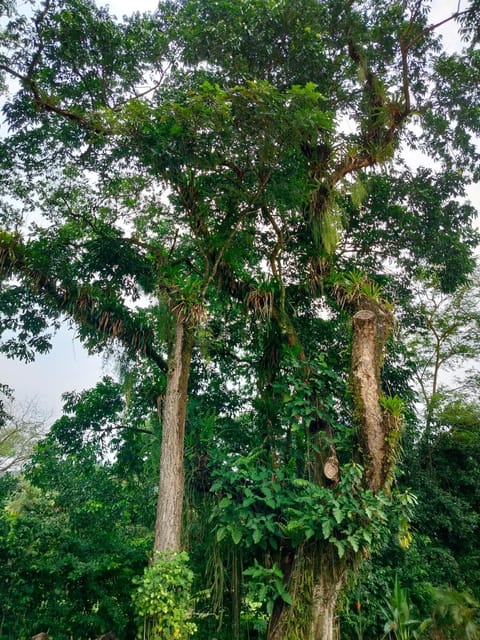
point(444, 475)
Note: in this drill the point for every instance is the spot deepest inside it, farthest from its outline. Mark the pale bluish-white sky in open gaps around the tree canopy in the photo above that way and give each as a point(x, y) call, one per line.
point(68, 367)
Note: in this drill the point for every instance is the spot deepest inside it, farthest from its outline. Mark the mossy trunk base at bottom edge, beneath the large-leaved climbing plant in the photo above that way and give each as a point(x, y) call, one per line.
point(317, 575)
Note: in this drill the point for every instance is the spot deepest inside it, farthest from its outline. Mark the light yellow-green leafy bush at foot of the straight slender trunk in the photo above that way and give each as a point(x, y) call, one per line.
point(163, 599)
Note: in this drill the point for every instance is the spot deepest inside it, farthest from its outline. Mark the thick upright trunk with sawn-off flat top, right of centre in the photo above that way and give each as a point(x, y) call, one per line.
point(370, 332)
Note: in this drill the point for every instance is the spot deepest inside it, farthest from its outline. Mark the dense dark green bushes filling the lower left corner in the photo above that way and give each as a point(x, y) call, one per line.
point(64, 561)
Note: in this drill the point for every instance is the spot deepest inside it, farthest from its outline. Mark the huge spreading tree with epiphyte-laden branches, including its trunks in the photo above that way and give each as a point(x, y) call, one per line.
point(273, 211)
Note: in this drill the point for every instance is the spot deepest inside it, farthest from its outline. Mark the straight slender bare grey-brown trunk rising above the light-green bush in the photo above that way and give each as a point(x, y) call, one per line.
point(168, 526)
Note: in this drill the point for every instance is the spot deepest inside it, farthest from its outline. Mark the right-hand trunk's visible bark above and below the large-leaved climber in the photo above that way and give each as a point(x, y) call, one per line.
point(316, 575)
